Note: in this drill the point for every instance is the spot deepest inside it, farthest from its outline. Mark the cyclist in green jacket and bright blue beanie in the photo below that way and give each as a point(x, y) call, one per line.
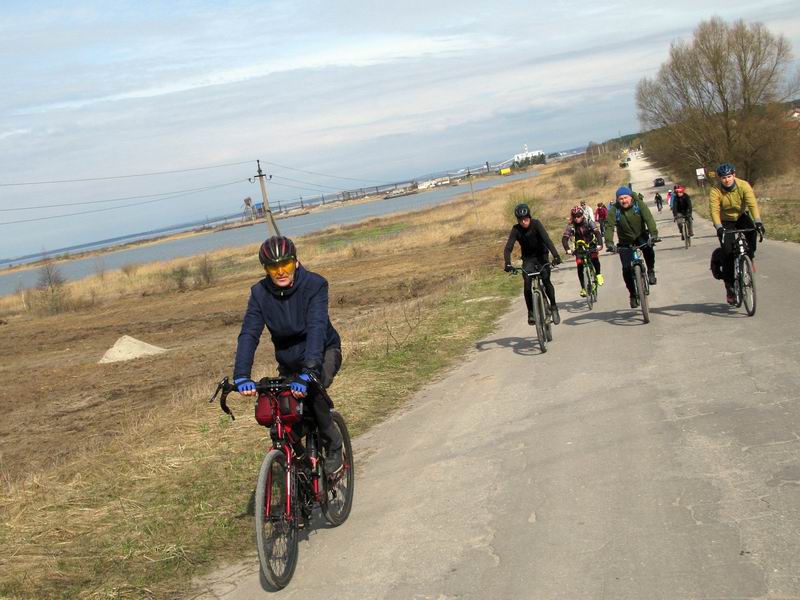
point(635, 226)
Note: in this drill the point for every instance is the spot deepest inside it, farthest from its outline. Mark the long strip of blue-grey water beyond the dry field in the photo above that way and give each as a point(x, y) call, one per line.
point(292, 226)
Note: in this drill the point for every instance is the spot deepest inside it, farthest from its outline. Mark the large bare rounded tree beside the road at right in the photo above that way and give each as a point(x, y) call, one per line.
point(721, 98)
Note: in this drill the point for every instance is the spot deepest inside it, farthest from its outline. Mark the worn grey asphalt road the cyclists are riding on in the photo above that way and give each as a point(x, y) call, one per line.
point(630, 461)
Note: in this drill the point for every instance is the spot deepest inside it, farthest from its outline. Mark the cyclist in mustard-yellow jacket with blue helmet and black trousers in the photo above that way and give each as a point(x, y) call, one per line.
point(733, 205)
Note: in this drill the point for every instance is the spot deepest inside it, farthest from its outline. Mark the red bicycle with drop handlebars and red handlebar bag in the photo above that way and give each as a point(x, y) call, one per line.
point(292, 481)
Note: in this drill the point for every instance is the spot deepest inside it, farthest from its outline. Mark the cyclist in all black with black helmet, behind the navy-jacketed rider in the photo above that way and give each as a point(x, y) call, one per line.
point(535, 245)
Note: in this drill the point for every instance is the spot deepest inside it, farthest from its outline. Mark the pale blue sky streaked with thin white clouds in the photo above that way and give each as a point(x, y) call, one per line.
point(357, 92)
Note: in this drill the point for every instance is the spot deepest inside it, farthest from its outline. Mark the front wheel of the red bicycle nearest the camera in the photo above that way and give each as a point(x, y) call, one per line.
point(276, 532)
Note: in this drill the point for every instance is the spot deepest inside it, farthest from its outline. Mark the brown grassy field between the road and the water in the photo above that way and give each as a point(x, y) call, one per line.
point(121, 481)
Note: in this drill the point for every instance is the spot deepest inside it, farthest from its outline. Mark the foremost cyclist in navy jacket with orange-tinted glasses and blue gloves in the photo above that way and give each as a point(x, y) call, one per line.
point(292, 303)
